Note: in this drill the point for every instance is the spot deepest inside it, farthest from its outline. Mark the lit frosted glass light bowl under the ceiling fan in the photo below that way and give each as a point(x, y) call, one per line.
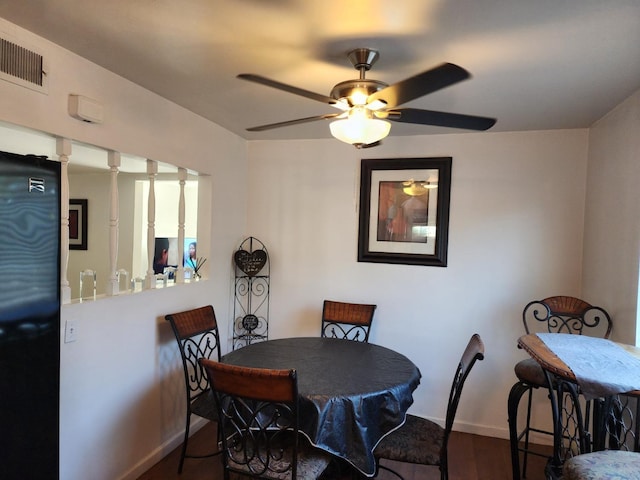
point(360, 128)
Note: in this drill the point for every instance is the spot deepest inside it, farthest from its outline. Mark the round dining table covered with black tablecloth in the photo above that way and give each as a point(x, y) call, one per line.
point(351, 394)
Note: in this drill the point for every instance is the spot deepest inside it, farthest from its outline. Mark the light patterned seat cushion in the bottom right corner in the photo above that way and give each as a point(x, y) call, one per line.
point(604, 465)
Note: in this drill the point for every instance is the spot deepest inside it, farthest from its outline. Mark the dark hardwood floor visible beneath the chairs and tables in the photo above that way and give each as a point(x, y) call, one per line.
point(471, 457)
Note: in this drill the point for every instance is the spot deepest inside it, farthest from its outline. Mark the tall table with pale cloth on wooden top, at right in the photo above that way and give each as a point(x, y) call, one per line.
point(586, 370)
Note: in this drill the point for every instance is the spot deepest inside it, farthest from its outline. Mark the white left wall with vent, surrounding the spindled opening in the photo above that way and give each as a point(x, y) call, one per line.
point(121, 391)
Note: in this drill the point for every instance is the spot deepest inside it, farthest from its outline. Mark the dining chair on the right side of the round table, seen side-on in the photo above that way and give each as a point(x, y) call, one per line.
point(422, 441)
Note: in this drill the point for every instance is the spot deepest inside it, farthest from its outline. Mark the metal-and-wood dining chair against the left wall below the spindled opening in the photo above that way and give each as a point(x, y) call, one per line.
point(197, 335)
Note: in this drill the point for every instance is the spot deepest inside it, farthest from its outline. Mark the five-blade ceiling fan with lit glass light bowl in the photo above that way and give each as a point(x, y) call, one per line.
point(366, 105)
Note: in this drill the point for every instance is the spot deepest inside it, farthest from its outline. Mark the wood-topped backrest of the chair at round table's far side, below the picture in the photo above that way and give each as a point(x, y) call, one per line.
point(348, 321)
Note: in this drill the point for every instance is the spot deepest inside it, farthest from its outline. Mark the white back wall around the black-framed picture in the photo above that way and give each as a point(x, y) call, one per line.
point(515, 235)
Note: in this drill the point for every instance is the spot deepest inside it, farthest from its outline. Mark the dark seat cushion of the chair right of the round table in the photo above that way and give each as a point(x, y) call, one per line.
point(417, 441)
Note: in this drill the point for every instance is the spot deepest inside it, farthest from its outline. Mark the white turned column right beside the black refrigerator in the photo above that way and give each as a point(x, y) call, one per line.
point(63, 150)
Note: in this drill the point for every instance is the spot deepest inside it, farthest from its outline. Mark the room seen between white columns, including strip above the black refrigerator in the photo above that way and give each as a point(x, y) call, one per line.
point(90, 179)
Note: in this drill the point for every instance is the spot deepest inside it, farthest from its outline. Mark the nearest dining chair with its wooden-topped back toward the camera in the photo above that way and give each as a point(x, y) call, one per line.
point(258, 411)
